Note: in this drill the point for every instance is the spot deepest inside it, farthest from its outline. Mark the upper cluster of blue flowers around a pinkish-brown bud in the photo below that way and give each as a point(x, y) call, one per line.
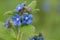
point(18, 19)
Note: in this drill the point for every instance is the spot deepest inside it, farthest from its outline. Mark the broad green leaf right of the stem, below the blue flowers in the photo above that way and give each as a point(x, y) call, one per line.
point(28, 31)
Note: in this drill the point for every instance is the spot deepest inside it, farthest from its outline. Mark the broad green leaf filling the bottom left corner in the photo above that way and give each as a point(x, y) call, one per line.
point(6, 34)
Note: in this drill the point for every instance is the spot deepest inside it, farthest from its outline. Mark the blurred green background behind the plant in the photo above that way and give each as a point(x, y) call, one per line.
point(47, 22)
